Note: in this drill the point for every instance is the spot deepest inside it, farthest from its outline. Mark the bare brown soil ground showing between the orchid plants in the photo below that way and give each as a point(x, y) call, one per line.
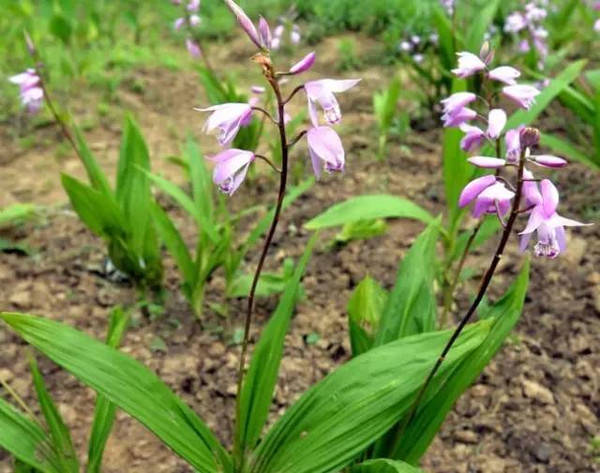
point(534, 410)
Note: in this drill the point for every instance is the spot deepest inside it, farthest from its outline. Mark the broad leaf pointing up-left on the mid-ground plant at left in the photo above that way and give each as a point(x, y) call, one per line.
point(99, 213)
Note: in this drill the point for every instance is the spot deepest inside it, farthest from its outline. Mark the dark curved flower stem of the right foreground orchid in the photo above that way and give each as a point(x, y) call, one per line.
point(485, 283)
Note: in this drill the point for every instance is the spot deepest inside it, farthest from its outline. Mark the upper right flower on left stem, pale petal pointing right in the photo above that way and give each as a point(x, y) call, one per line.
point(322, 91)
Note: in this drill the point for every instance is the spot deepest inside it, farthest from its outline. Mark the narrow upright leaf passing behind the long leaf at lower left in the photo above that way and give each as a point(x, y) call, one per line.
point(104, 411)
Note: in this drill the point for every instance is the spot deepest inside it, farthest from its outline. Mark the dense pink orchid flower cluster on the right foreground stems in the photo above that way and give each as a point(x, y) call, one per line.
point(495, 194)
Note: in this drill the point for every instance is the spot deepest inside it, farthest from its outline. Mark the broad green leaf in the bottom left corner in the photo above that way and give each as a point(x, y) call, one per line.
point(26, 440)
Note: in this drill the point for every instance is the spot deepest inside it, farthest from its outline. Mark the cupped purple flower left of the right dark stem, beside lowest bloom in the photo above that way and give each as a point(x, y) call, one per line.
point(490, 196)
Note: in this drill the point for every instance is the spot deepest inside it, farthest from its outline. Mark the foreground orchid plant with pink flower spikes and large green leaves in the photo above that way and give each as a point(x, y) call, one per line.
point(381, 410)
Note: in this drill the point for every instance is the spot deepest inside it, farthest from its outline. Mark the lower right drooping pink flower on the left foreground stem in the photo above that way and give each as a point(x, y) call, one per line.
point(325, 146)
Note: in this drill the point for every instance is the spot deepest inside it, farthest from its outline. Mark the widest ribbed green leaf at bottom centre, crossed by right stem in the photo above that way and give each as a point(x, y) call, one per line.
point(342, 415)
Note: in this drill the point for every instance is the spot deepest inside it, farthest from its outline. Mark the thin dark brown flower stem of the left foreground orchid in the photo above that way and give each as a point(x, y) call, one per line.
point(267, 244)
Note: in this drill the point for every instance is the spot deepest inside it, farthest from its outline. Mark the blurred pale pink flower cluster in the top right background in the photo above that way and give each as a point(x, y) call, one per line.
point(529, 22)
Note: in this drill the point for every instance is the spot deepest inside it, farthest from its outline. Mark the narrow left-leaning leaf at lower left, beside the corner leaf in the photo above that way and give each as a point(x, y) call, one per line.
point(58, 431)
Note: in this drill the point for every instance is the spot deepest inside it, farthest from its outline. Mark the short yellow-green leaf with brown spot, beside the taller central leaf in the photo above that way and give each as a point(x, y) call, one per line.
point(364, 313)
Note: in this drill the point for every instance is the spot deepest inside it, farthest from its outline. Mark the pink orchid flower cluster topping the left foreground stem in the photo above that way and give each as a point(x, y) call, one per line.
point(324, 144)
